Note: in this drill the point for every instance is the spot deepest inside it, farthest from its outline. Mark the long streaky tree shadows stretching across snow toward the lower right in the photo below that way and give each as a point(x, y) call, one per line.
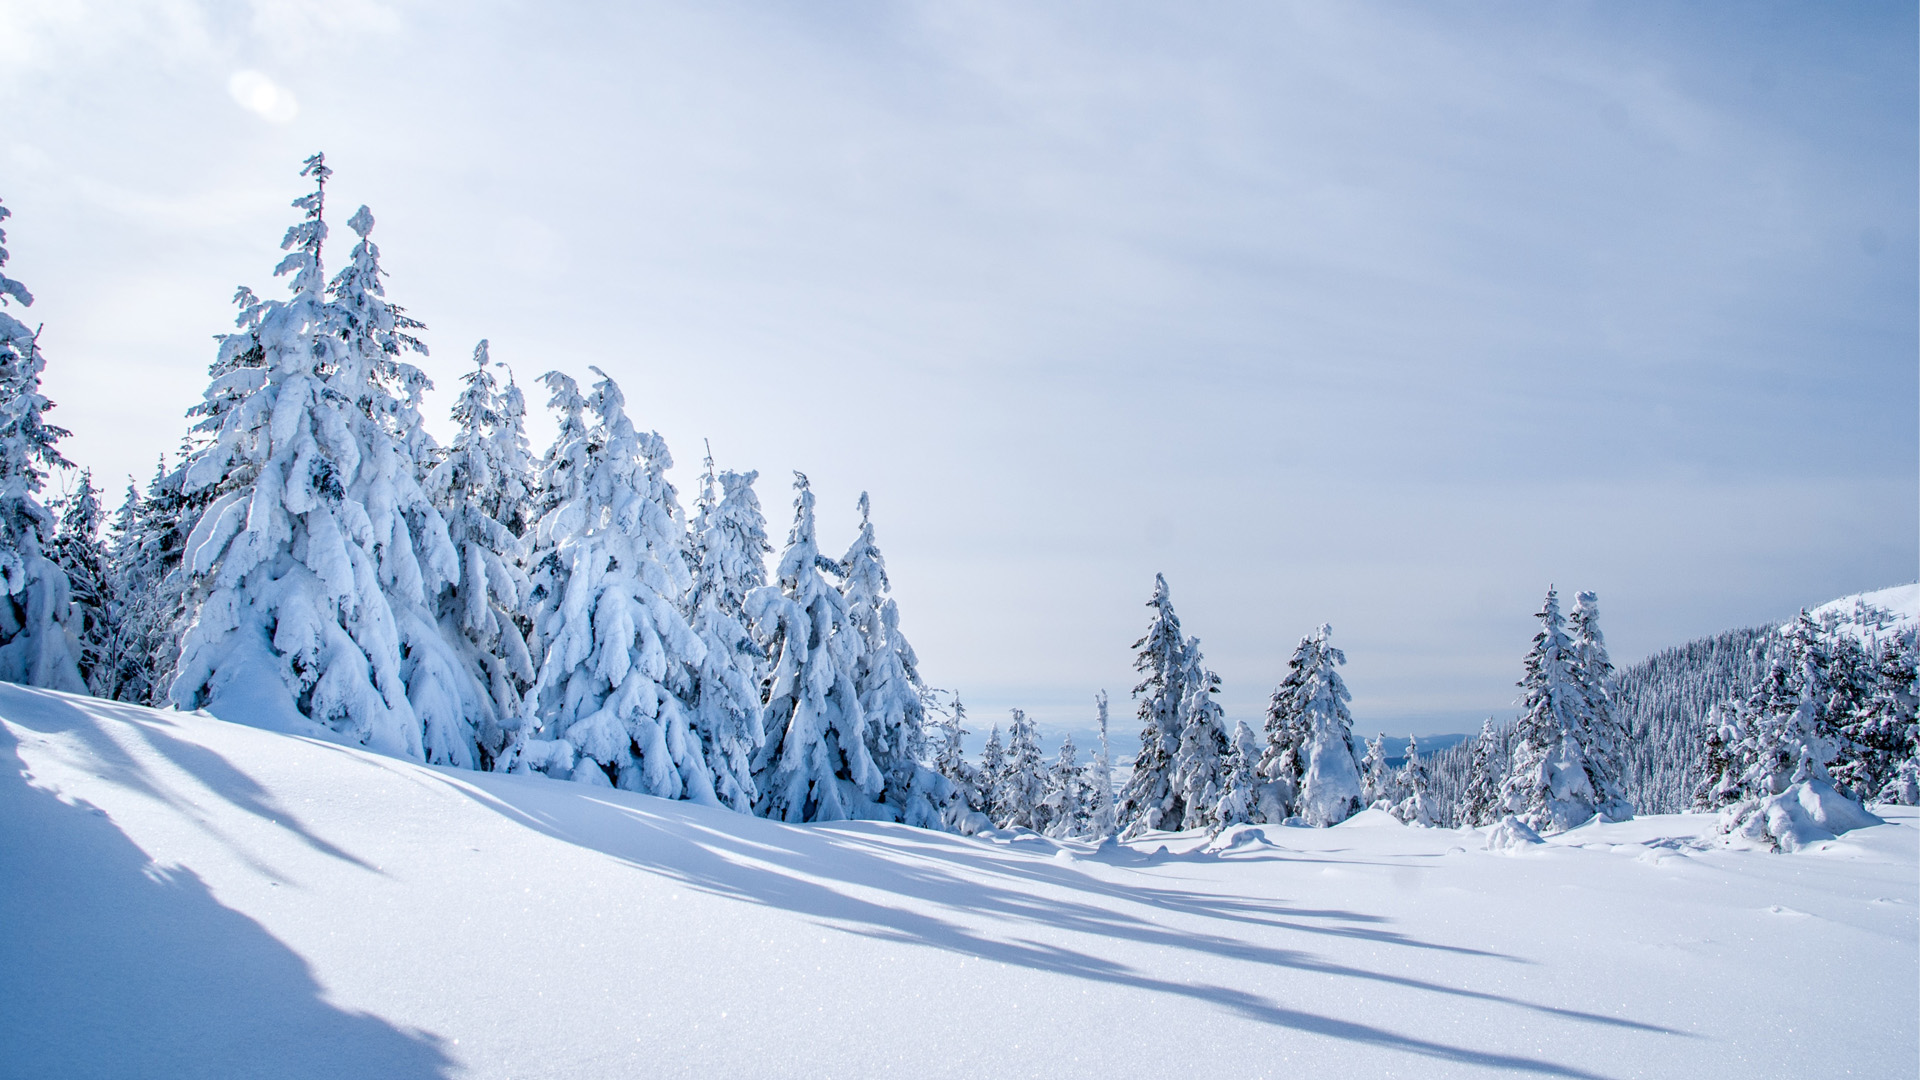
point(821, 873)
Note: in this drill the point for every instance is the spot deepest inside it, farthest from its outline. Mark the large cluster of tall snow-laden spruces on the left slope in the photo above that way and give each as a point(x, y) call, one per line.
point(314, 560)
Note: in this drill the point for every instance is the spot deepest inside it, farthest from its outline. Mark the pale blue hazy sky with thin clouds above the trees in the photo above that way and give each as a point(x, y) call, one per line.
point(1383, 316)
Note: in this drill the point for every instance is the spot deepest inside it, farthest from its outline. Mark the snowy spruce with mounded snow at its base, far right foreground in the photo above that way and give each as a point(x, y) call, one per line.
point(1788, 795)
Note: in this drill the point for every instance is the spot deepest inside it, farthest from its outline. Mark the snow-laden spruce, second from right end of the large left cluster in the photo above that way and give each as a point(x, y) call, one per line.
point(815, 764)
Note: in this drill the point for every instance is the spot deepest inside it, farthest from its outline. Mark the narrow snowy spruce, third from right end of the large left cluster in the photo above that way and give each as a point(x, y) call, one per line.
point(731, 564)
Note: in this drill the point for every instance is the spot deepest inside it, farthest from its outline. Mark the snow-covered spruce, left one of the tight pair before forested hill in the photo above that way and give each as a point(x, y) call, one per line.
point(1548, 785)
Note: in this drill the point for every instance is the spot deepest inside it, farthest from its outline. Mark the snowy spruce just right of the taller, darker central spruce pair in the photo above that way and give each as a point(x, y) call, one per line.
point(1310, 706)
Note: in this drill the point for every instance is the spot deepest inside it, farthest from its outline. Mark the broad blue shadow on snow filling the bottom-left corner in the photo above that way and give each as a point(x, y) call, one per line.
point(116, 968)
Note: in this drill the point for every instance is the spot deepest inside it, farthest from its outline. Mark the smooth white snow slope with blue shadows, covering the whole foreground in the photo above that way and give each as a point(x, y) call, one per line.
point(195, 898)
